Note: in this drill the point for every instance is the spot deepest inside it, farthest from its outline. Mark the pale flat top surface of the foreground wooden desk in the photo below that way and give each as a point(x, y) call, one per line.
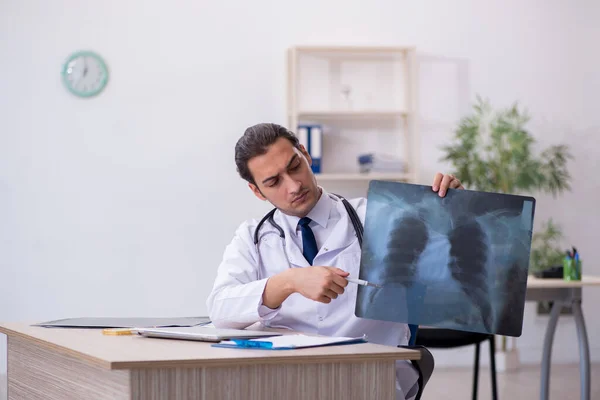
point(123, 352)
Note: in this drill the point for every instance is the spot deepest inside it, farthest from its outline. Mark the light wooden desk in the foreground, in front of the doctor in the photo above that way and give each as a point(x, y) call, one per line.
point(52, 363)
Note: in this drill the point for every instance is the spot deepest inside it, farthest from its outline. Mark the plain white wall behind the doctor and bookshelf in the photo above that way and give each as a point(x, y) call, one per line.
point(109, 206)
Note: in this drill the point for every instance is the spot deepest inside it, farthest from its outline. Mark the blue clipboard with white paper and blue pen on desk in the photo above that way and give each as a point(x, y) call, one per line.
point(288, 342)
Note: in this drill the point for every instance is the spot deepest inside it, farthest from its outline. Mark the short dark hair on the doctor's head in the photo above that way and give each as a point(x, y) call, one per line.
point(255, 142)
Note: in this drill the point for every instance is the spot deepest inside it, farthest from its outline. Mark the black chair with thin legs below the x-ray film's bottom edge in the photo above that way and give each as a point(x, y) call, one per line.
point(447, 338)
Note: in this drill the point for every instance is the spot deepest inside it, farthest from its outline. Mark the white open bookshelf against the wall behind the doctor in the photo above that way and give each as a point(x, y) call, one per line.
point(364, 97)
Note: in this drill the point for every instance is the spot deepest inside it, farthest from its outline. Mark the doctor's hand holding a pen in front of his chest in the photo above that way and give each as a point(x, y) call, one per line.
point(321, 284)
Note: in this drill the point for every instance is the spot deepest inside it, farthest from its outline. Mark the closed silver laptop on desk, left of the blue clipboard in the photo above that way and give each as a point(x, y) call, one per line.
point(203, 333)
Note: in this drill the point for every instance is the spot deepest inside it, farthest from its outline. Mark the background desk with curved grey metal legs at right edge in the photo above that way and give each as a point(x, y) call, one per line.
point(561, 293)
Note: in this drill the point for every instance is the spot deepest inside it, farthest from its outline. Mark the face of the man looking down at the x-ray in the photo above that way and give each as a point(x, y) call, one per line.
point(284, 178)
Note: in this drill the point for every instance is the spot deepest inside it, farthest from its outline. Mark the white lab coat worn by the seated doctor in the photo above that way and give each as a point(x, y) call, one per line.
point(236, 298)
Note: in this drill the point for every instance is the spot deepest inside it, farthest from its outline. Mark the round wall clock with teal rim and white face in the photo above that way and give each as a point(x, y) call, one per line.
point(85, 74)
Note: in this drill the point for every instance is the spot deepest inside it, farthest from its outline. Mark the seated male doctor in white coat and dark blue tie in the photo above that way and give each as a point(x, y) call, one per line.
point(296, 278)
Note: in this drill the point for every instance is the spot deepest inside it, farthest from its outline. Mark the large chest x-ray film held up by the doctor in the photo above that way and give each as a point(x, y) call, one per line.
point(458, 262)
